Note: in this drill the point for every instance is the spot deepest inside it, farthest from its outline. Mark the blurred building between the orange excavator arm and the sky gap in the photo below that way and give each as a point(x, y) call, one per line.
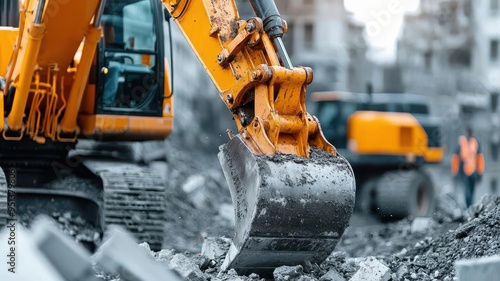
point(323, 35)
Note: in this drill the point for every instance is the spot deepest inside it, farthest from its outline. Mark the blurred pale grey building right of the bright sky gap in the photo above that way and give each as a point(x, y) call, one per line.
point(450, 51)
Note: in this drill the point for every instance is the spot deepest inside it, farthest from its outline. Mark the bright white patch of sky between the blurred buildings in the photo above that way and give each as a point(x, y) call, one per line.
point(383, 21)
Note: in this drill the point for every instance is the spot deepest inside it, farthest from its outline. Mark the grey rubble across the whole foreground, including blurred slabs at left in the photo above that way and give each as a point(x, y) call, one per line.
point(419, 249)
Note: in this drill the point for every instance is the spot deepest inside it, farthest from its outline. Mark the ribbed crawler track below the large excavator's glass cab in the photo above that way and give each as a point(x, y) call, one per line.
point(133, 197)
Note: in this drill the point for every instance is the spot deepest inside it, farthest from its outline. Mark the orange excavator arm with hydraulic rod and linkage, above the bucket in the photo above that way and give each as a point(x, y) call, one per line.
point(248, 64)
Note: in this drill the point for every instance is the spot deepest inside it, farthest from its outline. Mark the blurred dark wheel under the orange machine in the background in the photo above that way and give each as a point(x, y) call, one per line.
point(404, 193)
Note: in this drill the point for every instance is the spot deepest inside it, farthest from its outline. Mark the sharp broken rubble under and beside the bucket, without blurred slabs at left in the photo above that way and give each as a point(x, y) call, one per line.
point(405, 250)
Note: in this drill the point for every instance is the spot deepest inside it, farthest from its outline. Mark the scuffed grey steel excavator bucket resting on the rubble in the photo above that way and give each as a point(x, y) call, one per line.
point(288, 209)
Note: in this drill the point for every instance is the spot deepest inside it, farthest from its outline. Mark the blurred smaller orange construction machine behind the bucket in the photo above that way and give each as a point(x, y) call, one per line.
point(387, 138)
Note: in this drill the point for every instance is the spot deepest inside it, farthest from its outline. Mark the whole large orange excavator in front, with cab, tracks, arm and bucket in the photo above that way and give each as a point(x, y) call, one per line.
point(76, 70)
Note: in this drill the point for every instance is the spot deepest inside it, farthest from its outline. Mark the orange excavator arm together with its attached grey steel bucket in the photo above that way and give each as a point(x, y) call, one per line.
point(293, 194)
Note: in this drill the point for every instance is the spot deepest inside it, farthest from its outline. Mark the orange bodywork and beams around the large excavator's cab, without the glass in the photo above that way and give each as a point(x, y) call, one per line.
point(54, 99)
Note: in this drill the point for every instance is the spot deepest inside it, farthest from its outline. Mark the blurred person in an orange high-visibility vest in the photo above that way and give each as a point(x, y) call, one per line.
point(468, 164)
